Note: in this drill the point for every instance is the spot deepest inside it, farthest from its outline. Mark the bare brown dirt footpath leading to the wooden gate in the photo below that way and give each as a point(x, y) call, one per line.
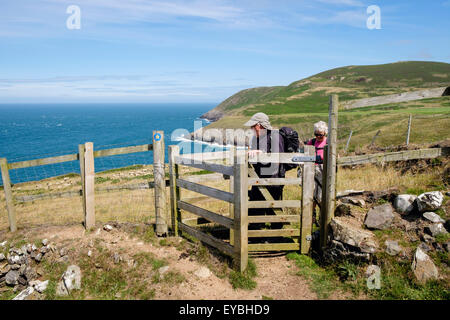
point(276, 277)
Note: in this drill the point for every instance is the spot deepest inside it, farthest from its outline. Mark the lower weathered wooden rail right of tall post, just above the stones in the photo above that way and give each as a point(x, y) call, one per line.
point(393, 156)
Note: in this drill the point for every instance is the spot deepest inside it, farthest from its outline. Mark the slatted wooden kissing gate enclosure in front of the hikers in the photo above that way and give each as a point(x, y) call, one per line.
point(243, 176)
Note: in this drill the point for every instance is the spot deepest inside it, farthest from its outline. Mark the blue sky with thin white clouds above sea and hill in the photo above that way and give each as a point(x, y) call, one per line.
point(201, 51)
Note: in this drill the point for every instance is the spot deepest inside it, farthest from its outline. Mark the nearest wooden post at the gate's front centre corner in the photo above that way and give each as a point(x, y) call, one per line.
point(241, 211)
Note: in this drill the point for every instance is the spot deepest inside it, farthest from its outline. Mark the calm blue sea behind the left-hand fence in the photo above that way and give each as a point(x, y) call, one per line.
point(37, 131)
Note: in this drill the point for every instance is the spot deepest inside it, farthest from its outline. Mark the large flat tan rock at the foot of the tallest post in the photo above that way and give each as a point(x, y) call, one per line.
point(357, 237)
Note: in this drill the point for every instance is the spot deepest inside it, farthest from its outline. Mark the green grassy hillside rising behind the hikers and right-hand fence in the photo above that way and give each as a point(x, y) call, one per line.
point(304, 102)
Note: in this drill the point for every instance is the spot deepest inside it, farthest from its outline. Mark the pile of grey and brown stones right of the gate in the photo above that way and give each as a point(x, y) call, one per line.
point(351, 236)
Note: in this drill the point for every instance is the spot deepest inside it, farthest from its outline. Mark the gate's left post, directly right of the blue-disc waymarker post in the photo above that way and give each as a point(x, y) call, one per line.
point(174, 151)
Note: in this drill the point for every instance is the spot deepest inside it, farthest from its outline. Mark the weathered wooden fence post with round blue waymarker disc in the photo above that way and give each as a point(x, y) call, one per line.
point(160, 183)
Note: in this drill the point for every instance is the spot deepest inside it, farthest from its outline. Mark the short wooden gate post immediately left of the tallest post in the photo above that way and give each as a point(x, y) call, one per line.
point(307, 202)
